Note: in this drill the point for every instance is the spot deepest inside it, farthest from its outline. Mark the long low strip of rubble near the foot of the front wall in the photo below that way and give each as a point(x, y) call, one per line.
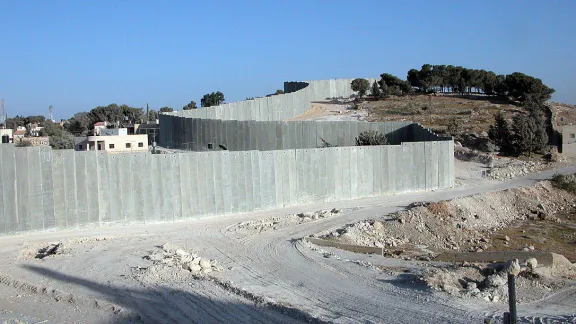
point(276, 222)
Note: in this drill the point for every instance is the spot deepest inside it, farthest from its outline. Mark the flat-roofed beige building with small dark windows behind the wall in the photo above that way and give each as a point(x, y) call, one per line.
point(112, 144)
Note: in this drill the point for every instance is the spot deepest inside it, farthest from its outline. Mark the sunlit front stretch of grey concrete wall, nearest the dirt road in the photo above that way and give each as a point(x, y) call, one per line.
point(42, 189)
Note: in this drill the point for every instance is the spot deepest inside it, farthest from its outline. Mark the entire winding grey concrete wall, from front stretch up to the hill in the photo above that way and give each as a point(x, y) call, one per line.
point(256, 162)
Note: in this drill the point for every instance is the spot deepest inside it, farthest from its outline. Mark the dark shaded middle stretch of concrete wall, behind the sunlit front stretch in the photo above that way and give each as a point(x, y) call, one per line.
point(195, 134)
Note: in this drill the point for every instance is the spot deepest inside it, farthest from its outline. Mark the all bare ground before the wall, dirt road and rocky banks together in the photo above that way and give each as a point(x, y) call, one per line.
point(255, 267)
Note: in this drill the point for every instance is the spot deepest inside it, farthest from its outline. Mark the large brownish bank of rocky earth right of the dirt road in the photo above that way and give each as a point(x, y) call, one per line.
point(463, 224)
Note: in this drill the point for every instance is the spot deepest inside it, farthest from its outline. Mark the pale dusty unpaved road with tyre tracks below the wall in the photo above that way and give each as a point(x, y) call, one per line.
point(103, 278)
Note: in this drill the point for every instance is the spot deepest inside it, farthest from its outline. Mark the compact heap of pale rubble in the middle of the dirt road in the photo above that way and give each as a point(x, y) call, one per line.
point(170, 255)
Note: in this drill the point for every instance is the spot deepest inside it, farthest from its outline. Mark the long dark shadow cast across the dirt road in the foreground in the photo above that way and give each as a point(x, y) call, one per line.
point(168, 305)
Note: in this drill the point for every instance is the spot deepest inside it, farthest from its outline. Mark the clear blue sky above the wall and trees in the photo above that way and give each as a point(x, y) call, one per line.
point(76, 55)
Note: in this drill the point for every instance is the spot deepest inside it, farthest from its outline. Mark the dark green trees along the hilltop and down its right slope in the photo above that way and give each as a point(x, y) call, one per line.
point(526, 134)
